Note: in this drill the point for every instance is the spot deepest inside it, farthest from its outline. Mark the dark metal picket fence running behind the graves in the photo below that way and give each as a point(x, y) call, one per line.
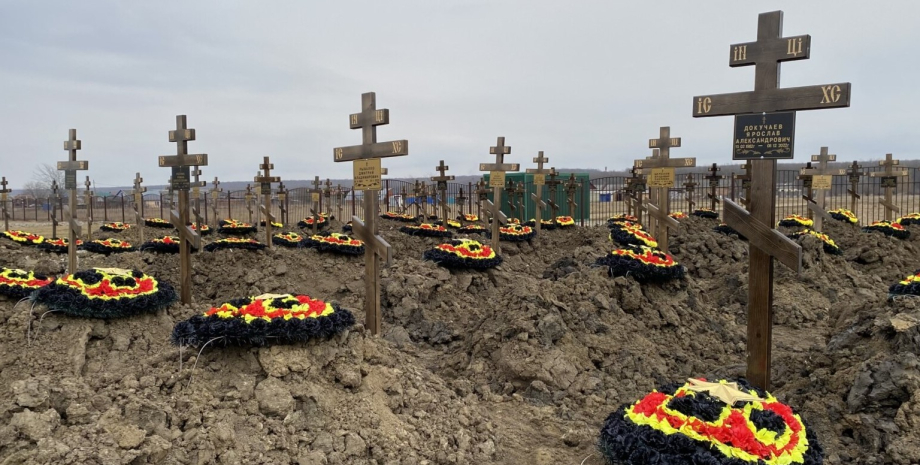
point(607, 197)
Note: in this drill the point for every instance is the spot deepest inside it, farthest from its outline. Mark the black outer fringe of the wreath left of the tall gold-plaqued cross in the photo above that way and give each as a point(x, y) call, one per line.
point(199, 329)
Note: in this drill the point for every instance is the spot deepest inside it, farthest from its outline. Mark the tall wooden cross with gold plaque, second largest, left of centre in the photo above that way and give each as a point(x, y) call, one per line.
point(368, 154)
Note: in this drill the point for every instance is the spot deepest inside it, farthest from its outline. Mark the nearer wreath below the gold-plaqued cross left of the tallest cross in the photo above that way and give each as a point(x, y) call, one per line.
point(645, 264)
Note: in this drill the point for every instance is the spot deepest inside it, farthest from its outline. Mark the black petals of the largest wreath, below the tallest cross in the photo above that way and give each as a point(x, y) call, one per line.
point(624, 442)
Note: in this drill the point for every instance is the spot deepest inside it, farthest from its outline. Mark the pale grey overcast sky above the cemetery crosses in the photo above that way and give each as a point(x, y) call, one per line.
point(586, 82)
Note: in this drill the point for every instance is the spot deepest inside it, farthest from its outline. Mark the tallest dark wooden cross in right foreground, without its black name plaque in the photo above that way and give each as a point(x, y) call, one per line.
point(766, 54)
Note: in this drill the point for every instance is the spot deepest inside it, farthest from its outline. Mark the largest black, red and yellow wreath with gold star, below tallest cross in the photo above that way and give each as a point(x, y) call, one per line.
point(711, 423)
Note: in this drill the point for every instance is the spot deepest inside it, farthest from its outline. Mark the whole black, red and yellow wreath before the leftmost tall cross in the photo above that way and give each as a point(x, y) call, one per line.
point(106, 293)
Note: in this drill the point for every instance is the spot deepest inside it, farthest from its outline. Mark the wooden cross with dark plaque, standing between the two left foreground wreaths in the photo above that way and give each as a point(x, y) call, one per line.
point(180, 164)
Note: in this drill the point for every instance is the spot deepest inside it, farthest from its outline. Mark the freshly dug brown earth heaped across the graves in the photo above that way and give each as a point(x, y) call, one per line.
point(519, 364)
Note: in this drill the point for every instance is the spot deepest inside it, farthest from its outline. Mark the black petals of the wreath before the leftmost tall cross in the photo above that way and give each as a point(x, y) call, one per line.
point(65, 299)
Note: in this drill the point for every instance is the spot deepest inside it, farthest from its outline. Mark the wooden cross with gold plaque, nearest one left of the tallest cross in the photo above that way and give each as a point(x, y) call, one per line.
point(660, 169)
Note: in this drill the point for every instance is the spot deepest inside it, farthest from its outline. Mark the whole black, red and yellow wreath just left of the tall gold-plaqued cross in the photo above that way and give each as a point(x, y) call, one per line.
point(264, 320)
